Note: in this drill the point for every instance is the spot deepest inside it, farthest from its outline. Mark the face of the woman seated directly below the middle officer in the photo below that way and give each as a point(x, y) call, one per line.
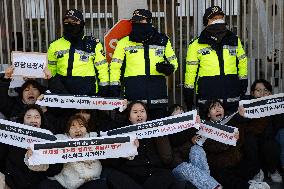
point(137, 114)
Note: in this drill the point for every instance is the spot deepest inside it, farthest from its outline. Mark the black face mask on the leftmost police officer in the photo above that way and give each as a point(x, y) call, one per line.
point(73, 32)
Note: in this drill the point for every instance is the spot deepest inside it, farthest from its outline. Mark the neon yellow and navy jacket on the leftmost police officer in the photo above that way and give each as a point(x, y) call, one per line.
point(79, 66)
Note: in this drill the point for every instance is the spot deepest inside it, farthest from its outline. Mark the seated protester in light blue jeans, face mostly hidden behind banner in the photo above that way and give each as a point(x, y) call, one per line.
point(191, 167)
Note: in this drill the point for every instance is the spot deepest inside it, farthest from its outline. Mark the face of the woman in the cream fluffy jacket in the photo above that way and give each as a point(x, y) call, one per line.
point(77, 129)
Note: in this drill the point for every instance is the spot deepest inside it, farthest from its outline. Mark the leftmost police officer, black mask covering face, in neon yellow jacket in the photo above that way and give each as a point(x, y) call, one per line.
point(77, 62)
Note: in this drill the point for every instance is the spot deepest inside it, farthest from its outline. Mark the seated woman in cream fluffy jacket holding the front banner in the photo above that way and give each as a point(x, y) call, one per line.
point(83, 174)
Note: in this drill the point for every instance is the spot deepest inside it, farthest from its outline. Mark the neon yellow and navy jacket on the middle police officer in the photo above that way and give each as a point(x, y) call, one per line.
point(134, 65)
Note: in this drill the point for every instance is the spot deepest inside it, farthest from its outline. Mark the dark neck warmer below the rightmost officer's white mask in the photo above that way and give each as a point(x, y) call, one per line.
point(217, 31)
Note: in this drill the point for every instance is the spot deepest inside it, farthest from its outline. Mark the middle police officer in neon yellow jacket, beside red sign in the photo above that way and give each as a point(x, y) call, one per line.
point(140, 64)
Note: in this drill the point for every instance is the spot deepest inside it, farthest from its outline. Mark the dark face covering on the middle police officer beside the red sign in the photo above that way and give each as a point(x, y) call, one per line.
point(141, 32)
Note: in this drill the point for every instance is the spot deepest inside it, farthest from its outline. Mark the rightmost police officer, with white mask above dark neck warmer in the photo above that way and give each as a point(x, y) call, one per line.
point(216, 64)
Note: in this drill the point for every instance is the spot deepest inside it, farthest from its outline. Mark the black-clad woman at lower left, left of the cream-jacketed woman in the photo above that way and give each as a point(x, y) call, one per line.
point(17, 174)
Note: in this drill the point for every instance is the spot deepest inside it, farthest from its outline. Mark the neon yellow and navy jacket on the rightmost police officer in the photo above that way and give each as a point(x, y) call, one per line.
point(216, 70)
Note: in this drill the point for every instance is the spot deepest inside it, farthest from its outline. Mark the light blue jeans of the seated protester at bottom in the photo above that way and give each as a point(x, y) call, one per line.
point(196, 170)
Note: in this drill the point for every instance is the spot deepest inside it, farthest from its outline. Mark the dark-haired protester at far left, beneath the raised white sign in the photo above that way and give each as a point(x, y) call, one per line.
point(12, 107)
